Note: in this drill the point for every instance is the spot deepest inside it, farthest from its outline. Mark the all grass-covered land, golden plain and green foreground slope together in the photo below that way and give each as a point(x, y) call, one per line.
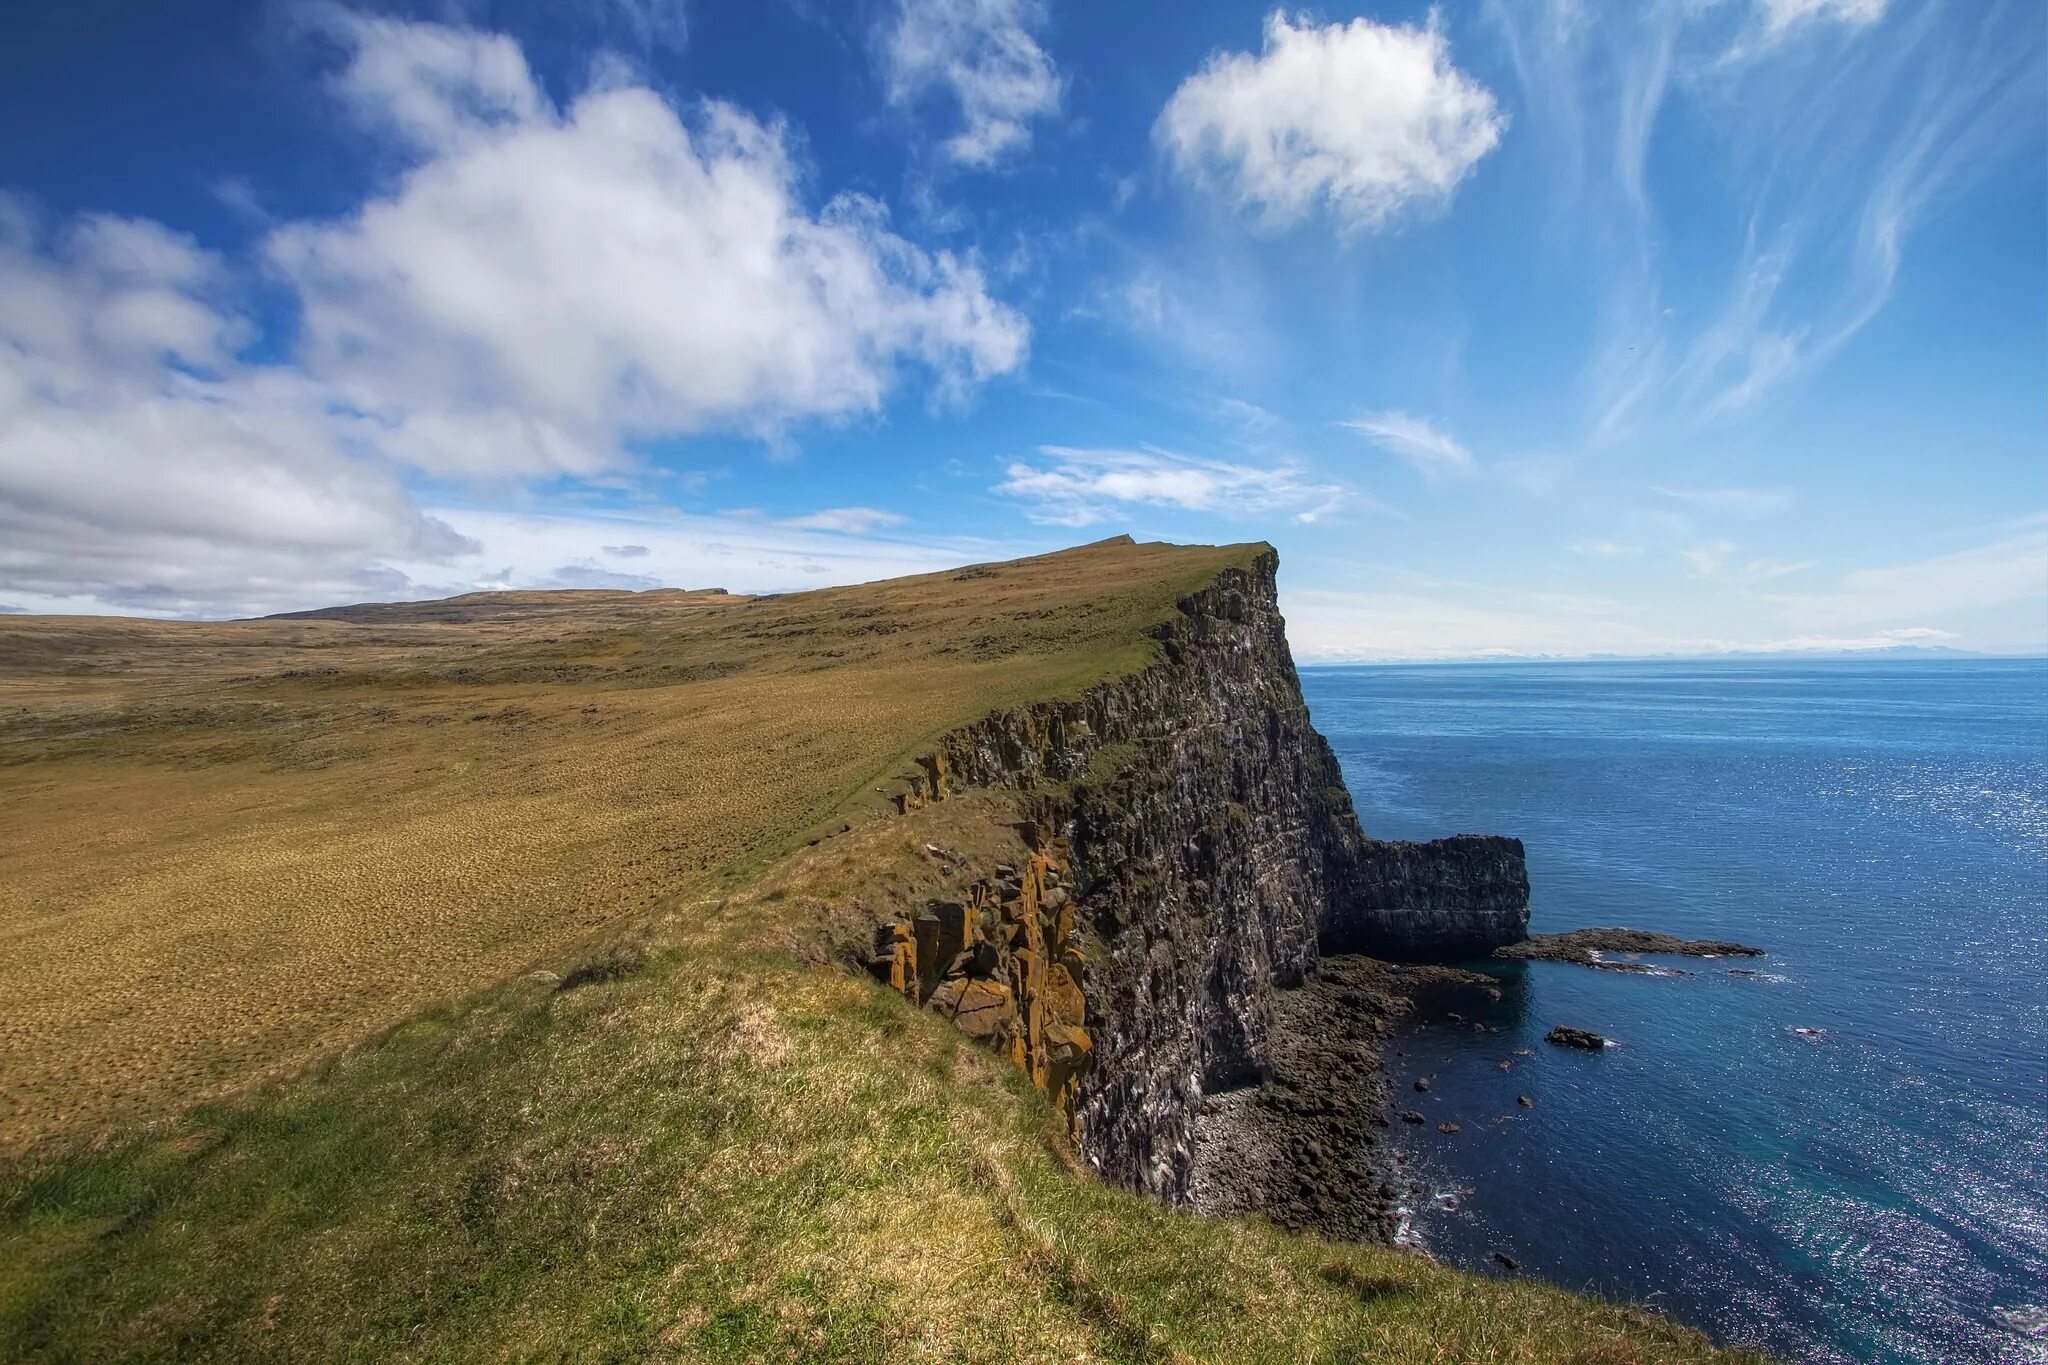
point(456, 981)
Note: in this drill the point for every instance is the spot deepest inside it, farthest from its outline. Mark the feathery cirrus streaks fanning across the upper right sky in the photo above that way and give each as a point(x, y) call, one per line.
point(1844, 124)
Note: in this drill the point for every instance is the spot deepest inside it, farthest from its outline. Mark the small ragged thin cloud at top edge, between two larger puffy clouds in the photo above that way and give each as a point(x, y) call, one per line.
point(986, 58)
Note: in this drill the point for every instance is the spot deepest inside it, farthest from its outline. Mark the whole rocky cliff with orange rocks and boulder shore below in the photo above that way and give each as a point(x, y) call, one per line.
point(1197, 1002)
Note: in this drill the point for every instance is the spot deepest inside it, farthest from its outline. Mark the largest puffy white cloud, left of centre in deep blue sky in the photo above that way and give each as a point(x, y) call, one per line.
point(548, 285)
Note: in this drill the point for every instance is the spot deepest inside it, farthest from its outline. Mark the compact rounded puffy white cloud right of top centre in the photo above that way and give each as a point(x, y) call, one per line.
point(1365, 120)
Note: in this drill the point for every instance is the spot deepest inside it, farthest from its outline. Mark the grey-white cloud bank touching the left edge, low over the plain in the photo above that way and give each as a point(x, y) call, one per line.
point(142, 466)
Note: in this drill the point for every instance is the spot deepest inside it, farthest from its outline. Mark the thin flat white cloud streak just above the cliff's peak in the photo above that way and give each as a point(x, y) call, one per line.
point(1080, 488)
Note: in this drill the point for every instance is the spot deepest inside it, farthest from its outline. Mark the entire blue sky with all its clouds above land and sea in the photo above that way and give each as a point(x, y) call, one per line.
point(1533, 326)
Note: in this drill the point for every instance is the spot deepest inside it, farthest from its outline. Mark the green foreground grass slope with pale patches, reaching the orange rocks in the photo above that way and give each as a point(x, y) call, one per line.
point(734, 1151)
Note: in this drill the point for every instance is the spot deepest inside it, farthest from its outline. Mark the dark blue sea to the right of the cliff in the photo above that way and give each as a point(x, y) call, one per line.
point(1871, 1194)
